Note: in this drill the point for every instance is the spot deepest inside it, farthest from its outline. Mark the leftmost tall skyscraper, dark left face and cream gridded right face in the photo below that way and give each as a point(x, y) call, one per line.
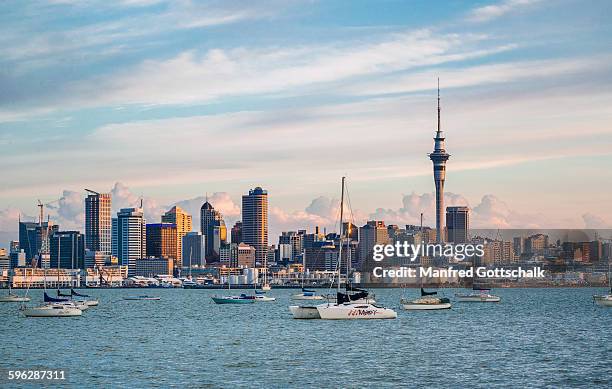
point(98, 222)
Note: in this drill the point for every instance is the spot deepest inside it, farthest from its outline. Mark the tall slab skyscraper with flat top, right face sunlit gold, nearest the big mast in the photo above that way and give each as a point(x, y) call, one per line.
point(255, 222)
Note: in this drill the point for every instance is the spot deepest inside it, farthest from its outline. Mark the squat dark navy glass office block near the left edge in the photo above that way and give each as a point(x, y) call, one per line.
point(67, 247)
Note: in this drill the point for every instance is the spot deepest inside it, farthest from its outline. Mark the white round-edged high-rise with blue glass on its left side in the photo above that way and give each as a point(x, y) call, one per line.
point(129, 237)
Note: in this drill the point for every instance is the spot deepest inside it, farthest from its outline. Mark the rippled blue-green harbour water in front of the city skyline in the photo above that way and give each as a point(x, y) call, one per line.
point(534, 337)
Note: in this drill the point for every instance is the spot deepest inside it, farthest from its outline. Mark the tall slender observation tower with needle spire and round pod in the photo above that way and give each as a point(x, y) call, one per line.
point(439, 158)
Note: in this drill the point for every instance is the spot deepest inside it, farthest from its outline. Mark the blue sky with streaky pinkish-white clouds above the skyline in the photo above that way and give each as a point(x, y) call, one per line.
point(175, 101)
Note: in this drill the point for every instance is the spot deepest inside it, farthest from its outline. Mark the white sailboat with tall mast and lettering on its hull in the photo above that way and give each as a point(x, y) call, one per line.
point(355, 306)
